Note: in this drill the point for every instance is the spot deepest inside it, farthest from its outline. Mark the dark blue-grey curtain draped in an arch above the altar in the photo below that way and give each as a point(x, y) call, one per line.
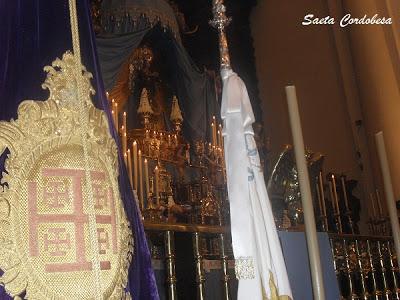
point(193, 87)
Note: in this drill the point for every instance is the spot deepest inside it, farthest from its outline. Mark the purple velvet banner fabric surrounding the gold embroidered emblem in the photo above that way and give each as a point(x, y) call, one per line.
point(32, 34)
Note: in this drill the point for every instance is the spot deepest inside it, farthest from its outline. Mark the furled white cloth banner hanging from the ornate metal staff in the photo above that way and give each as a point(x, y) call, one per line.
point(256, 246)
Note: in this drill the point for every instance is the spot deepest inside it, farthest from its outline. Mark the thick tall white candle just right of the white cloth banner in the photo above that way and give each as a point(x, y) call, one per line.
point(306, 197)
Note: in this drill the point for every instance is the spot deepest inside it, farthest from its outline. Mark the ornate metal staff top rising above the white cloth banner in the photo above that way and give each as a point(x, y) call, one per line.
point(220, 21)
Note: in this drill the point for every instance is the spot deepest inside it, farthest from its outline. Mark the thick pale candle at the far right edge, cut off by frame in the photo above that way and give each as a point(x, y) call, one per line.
point(390, 200)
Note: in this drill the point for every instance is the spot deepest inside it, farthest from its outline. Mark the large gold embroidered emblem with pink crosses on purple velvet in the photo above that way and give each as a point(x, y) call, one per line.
point(45, 241)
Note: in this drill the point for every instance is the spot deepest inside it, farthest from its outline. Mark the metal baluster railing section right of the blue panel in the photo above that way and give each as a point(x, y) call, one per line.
point(366, 266)
